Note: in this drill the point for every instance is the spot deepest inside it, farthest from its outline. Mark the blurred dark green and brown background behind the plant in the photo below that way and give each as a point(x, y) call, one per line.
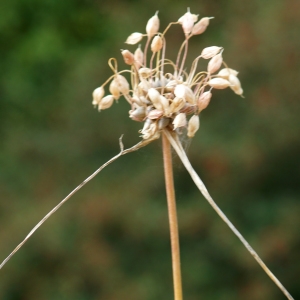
point(111, 240)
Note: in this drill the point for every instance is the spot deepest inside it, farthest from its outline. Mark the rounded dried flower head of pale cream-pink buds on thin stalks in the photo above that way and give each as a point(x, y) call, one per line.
point(162, 99)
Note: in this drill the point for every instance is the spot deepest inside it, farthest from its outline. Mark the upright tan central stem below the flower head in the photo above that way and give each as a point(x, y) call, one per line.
point(168, 171)
